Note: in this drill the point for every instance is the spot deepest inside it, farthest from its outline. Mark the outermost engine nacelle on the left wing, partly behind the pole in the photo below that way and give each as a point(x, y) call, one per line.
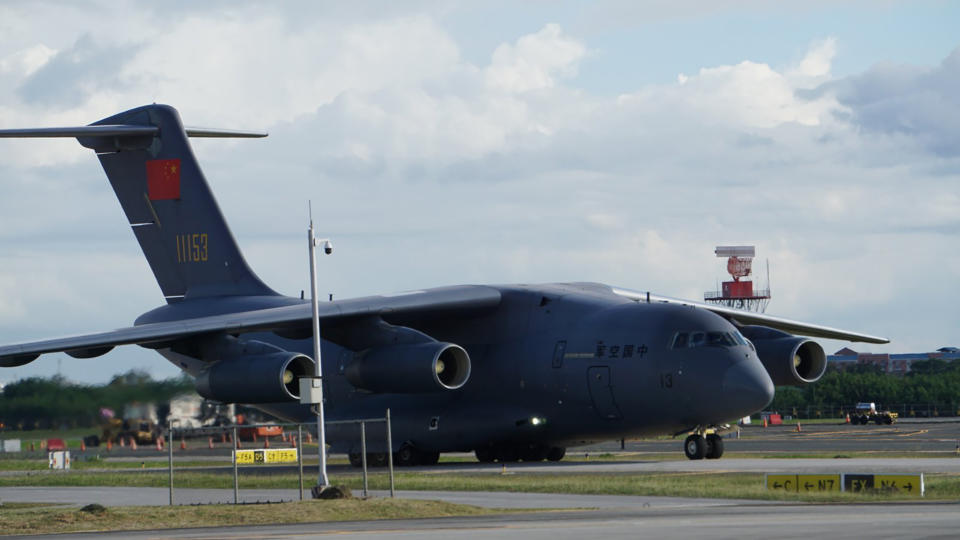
point(265, 378)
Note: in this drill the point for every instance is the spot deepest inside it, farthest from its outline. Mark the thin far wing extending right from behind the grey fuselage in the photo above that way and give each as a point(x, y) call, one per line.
point(749, 317)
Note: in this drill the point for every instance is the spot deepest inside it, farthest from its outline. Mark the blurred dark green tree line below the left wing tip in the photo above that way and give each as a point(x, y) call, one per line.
point(54, 402)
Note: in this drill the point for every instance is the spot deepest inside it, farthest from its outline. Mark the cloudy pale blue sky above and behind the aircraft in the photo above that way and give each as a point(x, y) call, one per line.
point(485, 142)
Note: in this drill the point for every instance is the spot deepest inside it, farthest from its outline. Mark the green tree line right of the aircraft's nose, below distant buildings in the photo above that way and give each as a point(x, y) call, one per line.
point(932, 383)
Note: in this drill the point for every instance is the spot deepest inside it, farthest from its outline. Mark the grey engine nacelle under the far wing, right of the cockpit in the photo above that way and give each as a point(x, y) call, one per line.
point(789, 360)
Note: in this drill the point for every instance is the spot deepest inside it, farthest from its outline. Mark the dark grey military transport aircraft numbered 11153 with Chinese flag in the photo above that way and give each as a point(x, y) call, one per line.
point(509, 371)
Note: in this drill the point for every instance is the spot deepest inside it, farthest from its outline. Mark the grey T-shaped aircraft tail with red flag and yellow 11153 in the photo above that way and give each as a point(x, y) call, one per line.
point(167, 201)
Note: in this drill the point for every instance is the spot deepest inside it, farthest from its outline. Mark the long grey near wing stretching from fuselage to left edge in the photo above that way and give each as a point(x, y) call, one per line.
point(462, 299)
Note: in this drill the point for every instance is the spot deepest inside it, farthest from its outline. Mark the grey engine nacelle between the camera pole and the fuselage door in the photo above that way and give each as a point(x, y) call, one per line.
point(409, 369)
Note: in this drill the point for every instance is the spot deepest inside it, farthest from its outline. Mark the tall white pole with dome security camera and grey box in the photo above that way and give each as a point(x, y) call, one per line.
point(311, 388)
